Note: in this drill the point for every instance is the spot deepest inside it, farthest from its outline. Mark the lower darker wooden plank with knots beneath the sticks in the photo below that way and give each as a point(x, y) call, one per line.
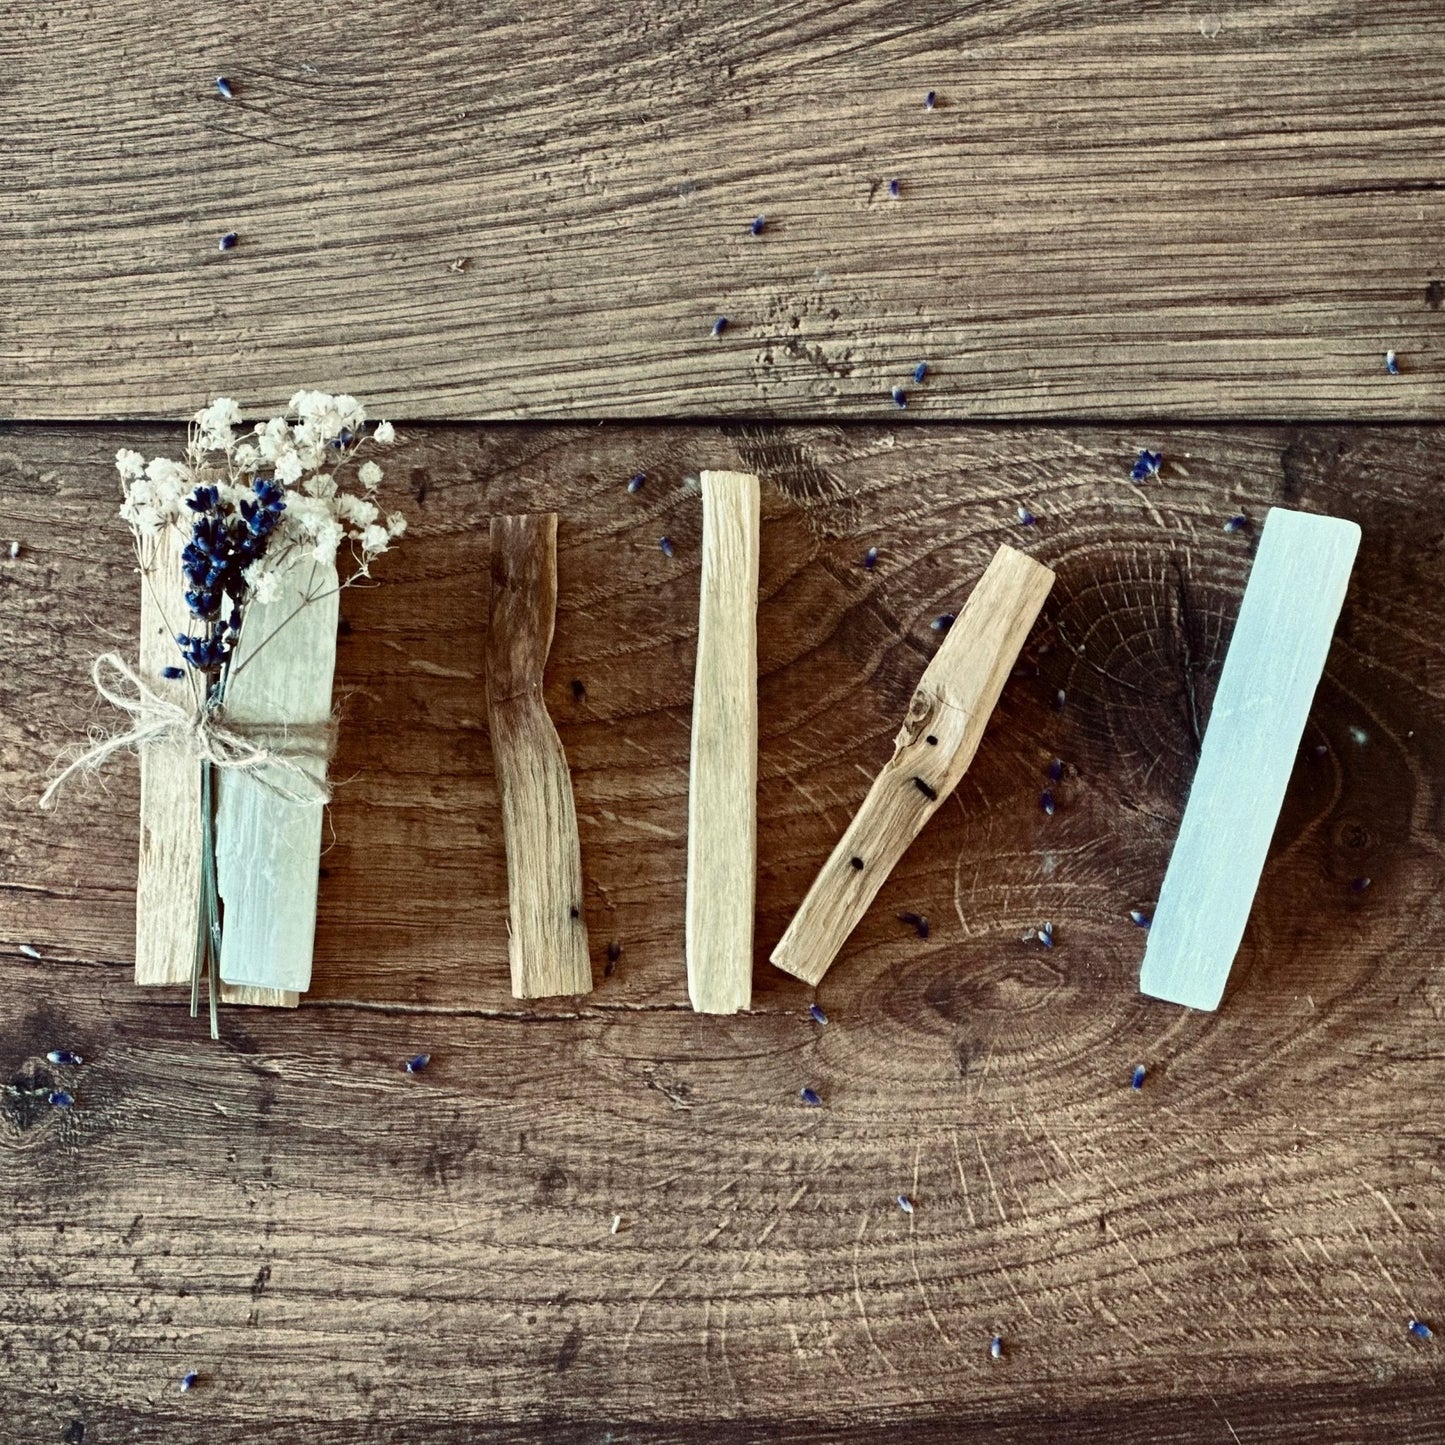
point(348, 1254)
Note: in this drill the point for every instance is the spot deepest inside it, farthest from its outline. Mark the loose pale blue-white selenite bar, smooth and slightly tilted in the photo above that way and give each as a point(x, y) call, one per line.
point(1277, 657)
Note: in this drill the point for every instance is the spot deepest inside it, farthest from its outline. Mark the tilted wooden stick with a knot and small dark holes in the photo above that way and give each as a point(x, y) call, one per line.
point(933, 752)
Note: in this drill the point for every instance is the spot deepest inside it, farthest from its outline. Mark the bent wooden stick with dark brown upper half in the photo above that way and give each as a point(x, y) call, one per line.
point(547, 933)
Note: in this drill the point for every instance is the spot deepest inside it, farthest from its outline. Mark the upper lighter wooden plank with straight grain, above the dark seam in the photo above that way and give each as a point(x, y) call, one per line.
point(1118, 207)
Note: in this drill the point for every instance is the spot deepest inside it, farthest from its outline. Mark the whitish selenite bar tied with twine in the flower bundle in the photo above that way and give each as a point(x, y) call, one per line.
point(268, 839)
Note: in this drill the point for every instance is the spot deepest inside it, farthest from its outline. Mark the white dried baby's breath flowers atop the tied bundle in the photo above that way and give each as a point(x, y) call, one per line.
point(304, 453)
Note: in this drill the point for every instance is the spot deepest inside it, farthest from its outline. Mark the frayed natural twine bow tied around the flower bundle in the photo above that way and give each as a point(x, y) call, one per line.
point(206, 733)
